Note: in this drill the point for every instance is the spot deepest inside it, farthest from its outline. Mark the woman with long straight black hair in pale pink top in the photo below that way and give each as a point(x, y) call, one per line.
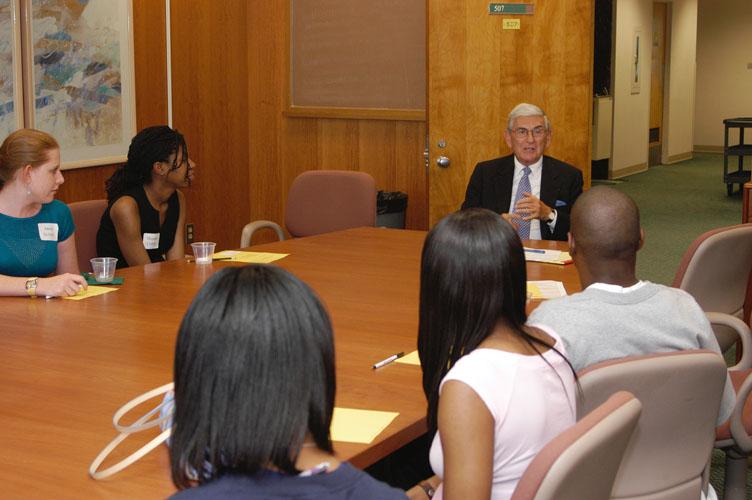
point(498, 389)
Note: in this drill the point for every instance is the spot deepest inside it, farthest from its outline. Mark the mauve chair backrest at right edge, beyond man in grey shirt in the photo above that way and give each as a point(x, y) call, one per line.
point(716, 270)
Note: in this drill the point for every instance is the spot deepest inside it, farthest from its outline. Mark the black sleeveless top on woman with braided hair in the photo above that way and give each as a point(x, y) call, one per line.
point(107, 245)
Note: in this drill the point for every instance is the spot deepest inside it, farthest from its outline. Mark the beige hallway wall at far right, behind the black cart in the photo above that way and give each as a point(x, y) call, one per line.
point(724, 83)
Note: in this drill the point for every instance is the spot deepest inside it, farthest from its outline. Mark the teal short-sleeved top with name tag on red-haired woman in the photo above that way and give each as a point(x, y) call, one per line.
point(28, 245)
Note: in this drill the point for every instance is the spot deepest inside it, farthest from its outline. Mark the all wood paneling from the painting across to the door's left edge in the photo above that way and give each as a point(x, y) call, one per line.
point(228, 80)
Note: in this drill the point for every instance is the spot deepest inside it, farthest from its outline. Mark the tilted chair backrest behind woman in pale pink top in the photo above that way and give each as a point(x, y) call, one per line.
point(582, 461)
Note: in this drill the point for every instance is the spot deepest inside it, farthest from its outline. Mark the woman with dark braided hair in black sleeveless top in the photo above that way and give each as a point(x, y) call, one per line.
point(145, 218)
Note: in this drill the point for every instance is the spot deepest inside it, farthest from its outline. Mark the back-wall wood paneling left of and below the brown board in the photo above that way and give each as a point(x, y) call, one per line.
point(281, 147)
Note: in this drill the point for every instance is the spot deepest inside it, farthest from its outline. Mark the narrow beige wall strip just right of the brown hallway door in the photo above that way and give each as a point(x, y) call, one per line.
point(678, 112)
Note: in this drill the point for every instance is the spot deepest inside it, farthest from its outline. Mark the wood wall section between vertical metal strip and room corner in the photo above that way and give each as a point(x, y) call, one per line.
point(210, 106)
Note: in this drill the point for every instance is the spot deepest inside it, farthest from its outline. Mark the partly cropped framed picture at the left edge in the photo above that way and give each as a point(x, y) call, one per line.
point(11, 84)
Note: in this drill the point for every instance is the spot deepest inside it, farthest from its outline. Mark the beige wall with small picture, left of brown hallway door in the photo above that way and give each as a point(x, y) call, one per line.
point(629, 152)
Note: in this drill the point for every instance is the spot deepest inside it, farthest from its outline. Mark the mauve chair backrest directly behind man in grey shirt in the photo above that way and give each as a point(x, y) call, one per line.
point(680, 394)
